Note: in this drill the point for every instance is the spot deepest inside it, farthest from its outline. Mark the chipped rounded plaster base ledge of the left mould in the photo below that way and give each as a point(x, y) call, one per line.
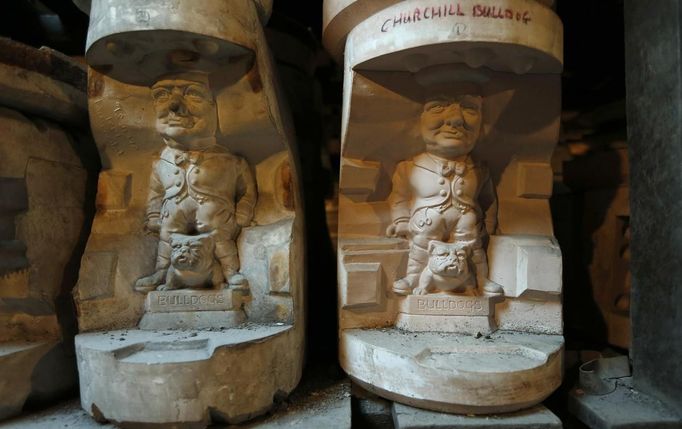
point(188, 377)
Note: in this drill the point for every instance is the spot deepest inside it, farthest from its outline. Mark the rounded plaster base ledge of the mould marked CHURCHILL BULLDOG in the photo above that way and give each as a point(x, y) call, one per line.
point(501, 372)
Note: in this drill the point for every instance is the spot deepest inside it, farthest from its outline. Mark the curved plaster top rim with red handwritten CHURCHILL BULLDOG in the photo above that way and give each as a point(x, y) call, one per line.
point(458, 35)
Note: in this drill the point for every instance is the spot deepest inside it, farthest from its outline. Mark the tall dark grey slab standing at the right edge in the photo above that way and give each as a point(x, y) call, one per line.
point(654, 82)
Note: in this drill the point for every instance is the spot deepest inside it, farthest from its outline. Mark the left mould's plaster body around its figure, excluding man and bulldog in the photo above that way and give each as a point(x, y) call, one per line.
point(184, 378)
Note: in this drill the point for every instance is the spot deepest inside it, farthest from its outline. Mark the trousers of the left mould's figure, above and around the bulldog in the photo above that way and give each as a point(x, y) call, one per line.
point(190, 217)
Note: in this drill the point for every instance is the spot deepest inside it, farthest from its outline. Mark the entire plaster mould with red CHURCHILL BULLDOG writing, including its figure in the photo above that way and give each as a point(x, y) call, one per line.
point(449, 272)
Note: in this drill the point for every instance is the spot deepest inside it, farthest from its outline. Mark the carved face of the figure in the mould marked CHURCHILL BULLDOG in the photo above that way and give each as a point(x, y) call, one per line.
point(450, 126)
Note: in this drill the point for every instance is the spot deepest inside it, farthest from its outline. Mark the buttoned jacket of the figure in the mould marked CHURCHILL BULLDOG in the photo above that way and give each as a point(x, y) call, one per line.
point(430, 181)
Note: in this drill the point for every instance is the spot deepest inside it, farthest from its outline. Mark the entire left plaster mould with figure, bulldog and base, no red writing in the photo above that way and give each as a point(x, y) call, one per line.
point(190, 295)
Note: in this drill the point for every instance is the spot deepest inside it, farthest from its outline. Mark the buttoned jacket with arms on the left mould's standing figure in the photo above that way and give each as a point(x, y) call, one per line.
point(214, 174)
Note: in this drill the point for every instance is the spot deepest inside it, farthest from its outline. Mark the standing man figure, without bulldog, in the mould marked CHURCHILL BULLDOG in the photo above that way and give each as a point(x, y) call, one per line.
point(439, 194)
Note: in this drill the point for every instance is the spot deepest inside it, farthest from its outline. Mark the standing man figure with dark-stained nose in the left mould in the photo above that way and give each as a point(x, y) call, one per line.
point(197, 188)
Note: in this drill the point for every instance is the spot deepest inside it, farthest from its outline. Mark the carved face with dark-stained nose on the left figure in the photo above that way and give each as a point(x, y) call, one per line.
point(185, 110)
